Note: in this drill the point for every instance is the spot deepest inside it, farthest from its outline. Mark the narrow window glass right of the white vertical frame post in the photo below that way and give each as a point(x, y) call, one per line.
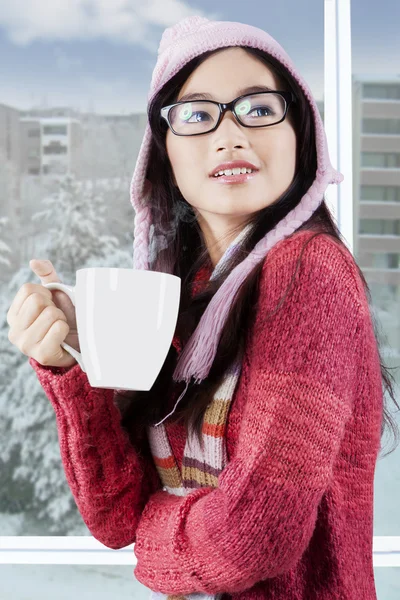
point(375, 131)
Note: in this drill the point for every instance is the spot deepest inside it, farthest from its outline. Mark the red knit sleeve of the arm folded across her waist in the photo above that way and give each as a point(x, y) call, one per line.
point(258, 521)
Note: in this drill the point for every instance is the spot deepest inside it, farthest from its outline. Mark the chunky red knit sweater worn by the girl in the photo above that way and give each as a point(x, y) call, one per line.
point(292, 516)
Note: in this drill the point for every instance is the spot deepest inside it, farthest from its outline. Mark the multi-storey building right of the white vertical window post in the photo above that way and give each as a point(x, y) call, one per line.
point(376, 179)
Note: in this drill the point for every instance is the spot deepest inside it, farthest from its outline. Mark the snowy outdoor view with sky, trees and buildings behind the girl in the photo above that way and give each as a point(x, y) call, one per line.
point(74, 81)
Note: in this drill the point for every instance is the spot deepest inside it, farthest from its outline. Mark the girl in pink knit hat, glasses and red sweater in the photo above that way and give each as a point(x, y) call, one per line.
point(255, 480)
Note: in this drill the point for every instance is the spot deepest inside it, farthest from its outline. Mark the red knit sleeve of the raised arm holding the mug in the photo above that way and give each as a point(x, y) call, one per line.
point(110, 479)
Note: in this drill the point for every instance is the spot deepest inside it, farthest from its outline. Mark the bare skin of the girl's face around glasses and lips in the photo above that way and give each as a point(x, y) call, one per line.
point(223, 210)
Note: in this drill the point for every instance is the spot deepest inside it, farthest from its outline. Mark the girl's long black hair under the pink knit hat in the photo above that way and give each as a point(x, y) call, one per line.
point(177, 246)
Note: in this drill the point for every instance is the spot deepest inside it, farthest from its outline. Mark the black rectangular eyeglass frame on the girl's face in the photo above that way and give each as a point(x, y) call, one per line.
point(289, 98)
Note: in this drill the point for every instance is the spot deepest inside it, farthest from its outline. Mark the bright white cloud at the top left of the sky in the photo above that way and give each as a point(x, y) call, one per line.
point(119, 21)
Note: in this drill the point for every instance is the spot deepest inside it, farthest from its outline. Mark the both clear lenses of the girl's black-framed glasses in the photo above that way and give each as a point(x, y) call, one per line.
point(254, 111)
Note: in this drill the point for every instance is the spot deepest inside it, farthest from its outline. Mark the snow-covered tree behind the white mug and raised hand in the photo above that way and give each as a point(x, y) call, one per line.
point(31, 472)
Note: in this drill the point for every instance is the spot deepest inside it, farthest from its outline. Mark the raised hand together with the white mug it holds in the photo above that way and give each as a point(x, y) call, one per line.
point(125, 321)
